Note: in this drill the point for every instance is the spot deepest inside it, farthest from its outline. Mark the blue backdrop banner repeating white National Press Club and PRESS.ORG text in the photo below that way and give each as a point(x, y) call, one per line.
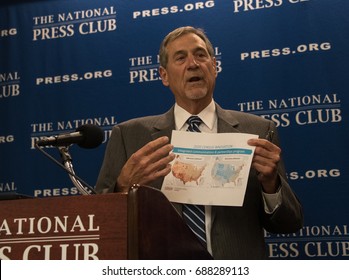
point(68, 63)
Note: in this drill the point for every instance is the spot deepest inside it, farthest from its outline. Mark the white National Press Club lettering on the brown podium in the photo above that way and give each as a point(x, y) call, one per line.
point(49, 237)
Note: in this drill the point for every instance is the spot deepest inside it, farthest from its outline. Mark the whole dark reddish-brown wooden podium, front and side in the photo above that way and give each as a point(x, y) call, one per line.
point(139, 224)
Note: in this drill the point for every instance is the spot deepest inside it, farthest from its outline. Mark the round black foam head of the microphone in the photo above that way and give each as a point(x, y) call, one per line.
point(92, 136)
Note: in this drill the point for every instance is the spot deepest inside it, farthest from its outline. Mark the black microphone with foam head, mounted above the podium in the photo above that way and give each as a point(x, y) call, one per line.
point(87, 136)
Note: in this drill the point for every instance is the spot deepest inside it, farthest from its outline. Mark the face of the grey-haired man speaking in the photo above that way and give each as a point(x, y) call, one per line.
point(190, 72)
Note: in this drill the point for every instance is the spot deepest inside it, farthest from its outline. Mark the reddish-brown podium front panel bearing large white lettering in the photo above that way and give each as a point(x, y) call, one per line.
point(59, 228)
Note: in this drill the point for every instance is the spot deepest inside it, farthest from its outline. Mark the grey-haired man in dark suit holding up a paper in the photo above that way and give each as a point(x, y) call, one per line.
point(139, 152)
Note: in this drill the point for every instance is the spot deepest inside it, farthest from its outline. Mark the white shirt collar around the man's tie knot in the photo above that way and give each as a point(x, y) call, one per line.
point(207, 115)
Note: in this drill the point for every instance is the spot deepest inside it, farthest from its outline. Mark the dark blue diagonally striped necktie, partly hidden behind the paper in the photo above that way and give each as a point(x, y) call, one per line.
point(194, 215)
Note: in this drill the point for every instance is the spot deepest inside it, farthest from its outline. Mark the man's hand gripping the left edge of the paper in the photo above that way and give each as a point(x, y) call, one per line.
point(147, 164)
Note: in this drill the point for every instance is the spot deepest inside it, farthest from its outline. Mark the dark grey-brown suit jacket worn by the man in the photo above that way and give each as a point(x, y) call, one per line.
point(237, 232)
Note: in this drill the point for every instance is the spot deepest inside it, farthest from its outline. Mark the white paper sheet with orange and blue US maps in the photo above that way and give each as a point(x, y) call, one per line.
point(209, 168)
